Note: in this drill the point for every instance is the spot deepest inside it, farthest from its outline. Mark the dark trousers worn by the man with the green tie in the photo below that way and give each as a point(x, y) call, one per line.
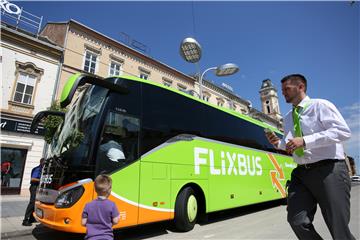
point(327, 185)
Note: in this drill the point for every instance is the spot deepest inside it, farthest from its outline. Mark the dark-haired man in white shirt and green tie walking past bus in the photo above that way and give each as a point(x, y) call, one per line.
point(313, 133)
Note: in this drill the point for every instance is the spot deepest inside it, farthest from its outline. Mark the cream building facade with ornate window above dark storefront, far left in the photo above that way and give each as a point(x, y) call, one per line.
point(30, 65)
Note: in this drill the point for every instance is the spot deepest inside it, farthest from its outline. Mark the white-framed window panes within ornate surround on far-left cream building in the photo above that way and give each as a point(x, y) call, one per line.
point(24, 88)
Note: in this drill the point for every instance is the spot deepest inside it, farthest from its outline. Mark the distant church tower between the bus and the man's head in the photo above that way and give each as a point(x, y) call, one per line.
point(270, 100)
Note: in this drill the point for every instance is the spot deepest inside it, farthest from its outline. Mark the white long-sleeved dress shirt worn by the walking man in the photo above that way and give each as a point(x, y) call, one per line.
point(323, 128)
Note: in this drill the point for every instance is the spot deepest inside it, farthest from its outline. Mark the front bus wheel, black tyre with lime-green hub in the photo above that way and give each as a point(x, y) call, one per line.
point(186, 210)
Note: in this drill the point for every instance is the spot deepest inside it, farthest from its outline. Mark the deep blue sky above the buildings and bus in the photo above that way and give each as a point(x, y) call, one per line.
point(265, 39)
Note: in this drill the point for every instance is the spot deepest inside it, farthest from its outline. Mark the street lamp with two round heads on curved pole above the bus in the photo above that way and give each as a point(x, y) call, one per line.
point(190, 51)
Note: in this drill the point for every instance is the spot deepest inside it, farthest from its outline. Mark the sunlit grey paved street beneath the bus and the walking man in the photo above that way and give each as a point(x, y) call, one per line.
point(264, 221)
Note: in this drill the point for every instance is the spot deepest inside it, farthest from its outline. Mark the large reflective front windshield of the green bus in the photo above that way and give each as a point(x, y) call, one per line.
point(68, 157)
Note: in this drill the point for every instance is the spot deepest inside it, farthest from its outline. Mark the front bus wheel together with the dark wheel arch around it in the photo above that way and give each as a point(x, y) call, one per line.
point(189, 207)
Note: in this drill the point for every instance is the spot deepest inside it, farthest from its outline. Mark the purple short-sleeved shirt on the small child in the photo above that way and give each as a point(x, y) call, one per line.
point(99, 214)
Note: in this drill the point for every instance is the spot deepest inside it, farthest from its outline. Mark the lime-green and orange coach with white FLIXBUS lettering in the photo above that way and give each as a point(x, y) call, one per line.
point(170, 155)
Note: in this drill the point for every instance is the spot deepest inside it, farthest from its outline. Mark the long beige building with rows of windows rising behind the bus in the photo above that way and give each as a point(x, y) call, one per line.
point(87, 50)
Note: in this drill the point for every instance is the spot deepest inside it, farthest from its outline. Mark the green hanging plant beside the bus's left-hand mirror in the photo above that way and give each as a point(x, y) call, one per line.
point(51, 123)
